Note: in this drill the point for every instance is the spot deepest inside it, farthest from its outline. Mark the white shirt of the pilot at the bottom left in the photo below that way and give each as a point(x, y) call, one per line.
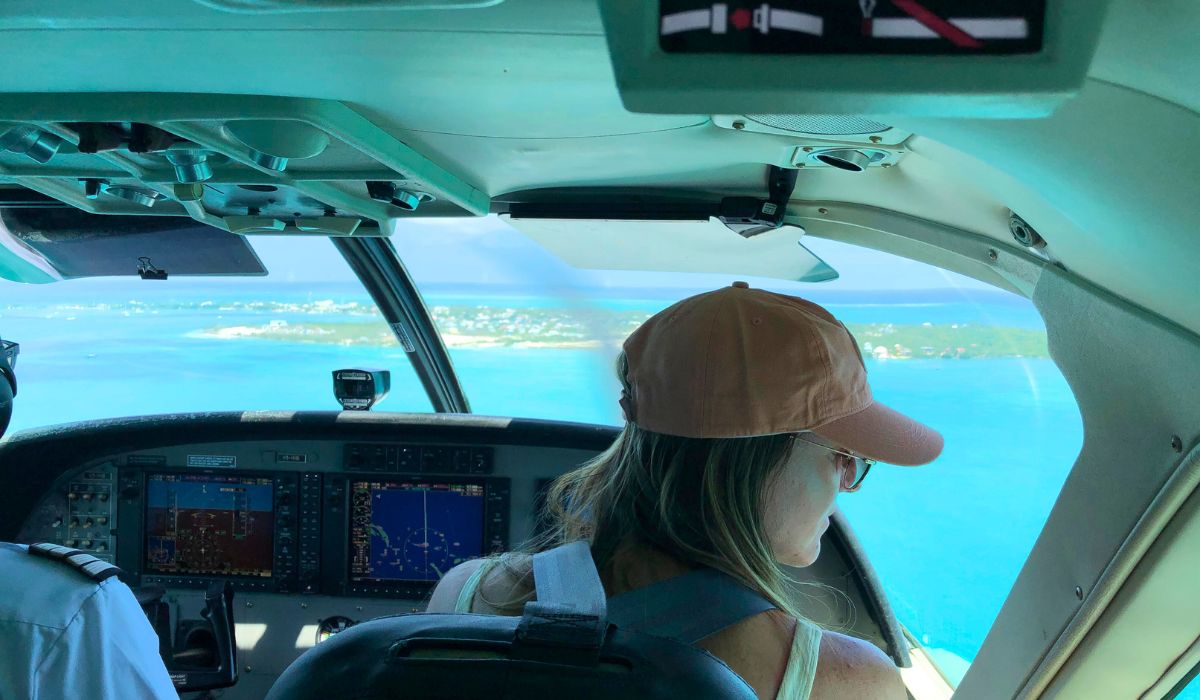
point(65, 636)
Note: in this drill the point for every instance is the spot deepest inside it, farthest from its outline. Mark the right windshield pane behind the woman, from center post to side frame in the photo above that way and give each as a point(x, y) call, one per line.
point(533, 337)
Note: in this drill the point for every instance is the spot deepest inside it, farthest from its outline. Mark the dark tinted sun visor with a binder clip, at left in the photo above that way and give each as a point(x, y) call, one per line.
point(64, 243)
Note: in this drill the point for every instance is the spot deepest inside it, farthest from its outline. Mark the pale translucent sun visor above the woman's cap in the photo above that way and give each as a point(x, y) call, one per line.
point(676, 247)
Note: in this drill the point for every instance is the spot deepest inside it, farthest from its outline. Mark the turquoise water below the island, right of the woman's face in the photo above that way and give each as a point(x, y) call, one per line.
point(949, 540)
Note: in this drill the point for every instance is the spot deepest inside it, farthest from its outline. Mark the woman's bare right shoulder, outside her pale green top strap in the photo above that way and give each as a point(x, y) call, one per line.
point(854, 668)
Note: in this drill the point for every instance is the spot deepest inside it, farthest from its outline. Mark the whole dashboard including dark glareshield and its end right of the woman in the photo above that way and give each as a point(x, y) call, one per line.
point(321, 520)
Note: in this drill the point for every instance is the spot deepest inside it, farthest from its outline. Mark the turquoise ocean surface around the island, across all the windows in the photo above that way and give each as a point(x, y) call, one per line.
point(947, 540)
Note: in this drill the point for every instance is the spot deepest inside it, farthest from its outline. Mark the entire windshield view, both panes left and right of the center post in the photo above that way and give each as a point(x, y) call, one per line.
point(532, 337)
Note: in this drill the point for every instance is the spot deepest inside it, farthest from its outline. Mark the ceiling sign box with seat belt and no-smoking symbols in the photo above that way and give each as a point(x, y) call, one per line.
point(931, 58)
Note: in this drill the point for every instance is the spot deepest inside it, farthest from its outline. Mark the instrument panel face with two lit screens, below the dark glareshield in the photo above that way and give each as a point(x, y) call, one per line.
point(314, 535)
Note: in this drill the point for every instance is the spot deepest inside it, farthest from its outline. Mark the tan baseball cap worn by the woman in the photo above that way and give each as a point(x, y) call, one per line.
point(742, 363)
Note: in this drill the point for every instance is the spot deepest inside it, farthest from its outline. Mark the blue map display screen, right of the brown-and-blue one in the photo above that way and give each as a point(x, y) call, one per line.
point(413, 531)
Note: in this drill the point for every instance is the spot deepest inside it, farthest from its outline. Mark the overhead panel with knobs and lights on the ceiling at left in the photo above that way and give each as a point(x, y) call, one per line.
point(249, 165)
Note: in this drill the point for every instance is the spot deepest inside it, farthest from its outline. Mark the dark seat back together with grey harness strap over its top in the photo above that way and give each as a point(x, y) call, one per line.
point(565, 645)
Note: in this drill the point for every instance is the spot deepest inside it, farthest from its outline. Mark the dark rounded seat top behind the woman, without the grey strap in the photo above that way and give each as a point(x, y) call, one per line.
point(440, 656)
